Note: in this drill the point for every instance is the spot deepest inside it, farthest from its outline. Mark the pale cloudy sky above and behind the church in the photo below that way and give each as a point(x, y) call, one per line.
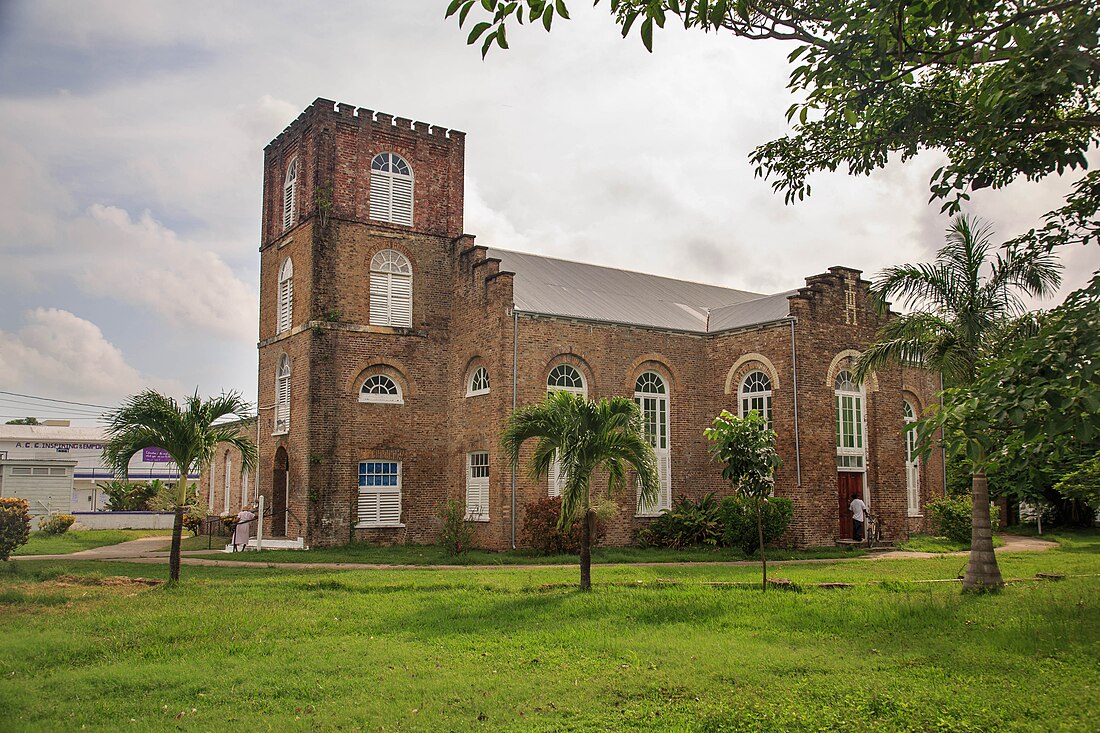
point(131, 139)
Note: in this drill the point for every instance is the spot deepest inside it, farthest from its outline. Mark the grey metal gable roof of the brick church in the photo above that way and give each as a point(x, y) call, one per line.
point(575, 290)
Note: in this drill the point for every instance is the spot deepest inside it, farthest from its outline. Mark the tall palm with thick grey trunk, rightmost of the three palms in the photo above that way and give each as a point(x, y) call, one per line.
point(963, 309)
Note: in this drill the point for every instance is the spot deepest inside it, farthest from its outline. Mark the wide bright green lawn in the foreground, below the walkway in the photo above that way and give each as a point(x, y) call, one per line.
point(497, 649)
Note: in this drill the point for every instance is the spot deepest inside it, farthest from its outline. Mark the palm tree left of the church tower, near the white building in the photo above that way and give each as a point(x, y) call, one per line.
point(189, 434)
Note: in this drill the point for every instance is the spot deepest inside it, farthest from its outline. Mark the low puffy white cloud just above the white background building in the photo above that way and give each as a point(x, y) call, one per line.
point(58, 353)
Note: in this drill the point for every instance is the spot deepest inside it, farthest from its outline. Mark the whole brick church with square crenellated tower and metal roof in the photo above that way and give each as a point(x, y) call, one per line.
point(393, 348)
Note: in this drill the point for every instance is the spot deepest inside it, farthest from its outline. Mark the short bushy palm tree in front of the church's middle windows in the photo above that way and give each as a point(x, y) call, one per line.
point(585, 435)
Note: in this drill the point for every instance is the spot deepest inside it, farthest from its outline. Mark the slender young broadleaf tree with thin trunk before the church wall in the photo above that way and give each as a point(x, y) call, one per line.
point(747, 448)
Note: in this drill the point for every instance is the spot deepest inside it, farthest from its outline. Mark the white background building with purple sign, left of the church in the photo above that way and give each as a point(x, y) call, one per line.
point(57, 466)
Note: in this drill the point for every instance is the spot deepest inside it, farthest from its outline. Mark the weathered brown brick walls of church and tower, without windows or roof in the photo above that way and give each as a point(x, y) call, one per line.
point(464, 318)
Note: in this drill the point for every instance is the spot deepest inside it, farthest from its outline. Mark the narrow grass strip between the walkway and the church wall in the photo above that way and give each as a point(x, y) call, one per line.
point(434, 555)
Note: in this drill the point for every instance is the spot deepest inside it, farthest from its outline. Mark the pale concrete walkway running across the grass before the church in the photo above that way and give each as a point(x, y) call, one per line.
point(151, 551)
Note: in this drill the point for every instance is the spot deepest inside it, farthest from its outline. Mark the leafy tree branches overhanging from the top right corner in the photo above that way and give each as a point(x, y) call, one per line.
point(1004, 89)
